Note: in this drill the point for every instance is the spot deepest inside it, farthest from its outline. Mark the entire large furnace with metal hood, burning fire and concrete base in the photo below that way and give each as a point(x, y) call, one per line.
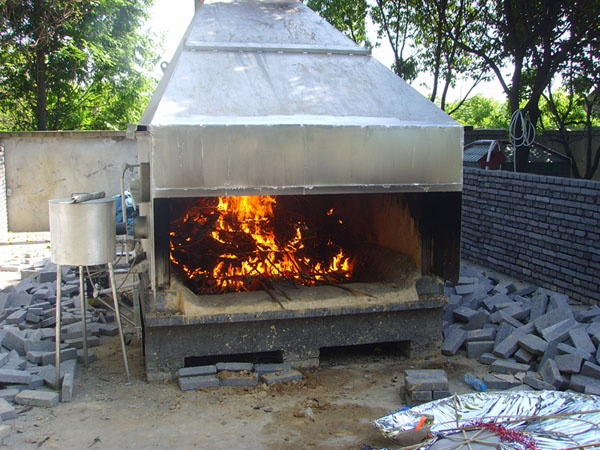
point(295, 195)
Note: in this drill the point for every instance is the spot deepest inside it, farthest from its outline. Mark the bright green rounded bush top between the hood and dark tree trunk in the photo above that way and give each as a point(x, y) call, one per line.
point(481, 112)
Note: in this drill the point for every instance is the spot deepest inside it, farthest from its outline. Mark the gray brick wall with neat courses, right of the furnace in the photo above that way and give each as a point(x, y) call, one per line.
point(541, 229)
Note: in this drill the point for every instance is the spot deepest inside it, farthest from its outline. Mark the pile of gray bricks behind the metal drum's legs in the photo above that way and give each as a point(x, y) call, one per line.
point(27, 338)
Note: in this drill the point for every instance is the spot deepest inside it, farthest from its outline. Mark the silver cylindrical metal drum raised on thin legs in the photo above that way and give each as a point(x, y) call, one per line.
point(82, 234)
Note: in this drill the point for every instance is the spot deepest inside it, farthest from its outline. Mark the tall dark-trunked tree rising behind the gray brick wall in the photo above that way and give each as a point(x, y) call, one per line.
point(536, 38)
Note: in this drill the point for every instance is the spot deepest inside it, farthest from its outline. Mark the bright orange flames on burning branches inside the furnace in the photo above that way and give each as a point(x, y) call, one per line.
point(241, 238)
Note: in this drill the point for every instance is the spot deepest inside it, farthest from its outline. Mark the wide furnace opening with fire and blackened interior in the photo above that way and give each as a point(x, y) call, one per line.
point(219, 245)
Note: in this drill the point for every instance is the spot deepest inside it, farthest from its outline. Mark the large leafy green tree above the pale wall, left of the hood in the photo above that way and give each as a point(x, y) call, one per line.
point(68, 64)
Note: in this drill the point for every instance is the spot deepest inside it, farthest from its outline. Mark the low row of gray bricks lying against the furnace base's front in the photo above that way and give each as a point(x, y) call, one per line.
point(237, 374)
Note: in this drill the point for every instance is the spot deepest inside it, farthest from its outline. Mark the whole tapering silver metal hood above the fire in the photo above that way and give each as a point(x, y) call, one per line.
point(265, 97)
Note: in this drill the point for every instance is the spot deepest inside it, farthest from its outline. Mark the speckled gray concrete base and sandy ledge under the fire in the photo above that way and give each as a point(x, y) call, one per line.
point(312, 318)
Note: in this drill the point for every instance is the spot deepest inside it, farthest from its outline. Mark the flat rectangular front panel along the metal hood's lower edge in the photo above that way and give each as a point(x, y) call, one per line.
point(236, 160)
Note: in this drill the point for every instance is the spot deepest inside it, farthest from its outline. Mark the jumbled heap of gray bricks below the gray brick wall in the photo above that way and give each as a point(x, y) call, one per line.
point(532, 335)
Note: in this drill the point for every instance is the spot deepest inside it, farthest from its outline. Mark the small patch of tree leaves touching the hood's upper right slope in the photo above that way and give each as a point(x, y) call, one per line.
point(348, 16)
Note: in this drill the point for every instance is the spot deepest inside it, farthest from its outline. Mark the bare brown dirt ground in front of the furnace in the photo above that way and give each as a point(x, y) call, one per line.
point(331, 408)
